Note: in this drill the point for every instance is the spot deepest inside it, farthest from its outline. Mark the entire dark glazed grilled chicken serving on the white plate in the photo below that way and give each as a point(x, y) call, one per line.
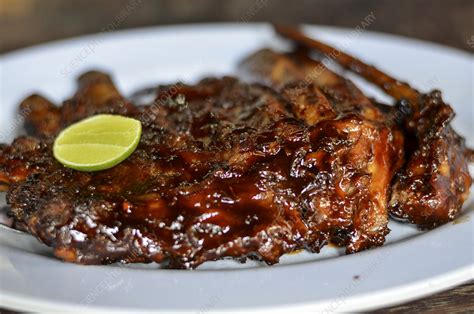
point(231, 169)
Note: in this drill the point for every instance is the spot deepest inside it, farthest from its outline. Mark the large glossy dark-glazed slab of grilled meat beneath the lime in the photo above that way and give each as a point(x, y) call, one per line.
point(224, 169)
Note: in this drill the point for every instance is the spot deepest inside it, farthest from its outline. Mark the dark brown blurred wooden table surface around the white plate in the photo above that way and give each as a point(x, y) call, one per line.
point(449, 22)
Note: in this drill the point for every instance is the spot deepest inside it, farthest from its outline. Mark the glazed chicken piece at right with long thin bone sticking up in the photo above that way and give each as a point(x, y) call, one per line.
point(434, 181)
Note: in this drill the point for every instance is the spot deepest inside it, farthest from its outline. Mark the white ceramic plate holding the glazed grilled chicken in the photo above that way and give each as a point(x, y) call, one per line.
point(412, 264)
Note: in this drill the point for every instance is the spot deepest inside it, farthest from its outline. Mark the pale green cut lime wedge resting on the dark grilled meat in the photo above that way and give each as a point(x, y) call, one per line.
point(97, 143)
